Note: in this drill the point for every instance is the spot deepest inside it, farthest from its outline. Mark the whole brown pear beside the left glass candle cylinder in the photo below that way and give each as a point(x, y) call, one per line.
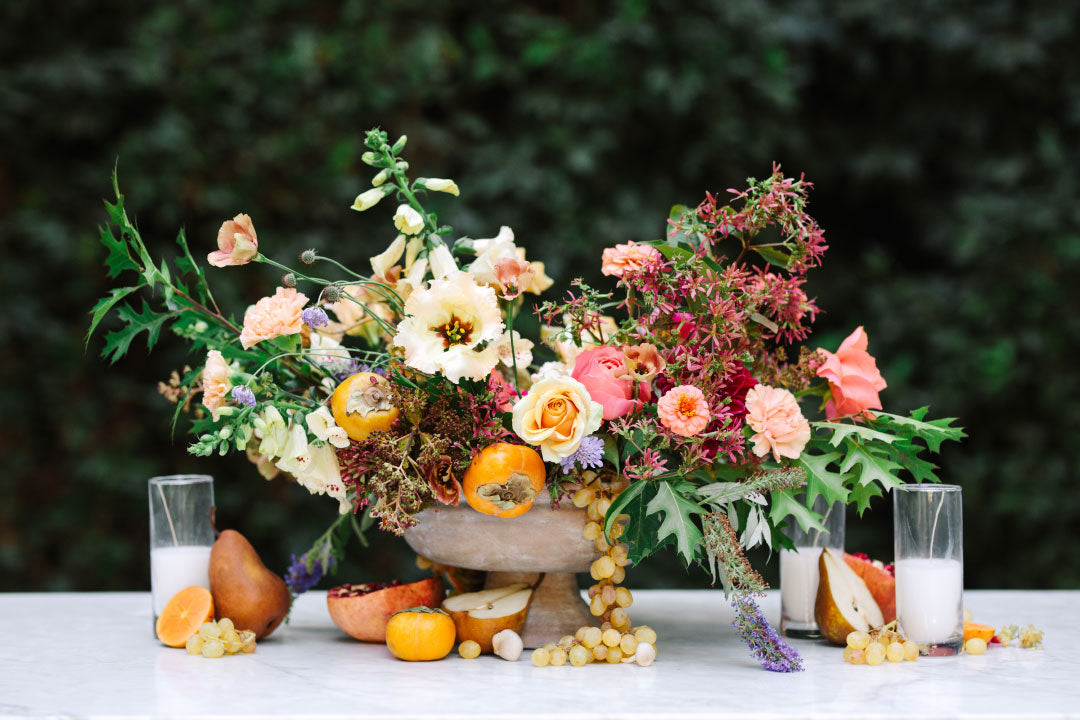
point(245, 590)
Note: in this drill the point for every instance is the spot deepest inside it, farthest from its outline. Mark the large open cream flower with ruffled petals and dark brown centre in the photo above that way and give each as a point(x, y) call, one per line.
point(447, 324)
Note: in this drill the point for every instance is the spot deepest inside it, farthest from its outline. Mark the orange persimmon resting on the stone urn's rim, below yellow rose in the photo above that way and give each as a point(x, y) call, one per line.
point(505, 480)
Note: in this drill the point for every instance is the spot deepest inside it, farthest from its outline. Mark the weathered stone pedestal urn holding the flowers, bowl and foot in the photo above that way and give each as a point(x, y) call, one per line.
point(517, 550)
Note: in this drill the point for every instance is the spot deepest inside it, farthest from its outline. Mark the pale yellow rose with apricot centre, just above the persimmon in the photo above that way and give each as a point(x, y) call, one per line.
point(557, 415)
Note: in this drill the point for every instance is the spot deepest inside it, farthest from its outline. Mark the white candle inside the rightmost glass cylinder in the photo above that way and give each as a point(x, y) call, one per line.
point(930, 599)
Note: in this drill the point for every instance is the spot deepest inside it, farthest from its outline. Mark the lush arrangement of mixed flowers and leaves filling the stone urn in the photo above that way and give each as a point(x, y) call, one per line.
point(682, 397)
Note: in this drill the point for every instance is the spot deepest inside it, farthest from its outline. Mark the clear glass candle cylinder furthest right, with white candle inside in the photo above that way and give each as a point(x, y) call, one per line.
point(928, 537)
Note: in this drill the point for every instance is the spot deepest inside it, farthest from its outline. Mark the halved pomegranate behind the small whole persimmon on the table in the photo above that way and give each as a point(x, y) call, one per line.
point(363, 612)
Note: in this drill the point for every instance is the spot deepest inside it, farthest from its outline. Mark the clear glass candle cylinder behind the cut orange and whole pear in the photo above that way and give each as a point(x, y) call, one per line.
point(182, 535)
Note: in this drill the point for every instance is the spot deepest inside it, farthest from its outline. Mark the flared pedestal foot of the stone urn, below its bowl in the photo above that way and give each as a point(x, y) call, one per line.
point(557, 609)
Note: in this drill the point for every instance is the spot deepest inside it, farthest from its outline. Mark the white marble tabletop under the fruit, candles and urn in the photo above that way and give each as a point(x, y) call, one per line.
point(93, 656)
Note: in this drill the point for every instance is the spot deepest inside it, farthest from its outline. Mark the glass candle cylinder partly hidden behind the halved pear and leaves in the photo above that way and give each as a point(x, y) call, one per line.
point(799, 569)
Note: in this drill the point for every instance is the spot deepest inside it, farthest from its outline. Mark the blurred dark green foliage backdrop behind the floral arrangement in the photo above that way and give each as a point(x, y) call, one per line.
point(943, 140)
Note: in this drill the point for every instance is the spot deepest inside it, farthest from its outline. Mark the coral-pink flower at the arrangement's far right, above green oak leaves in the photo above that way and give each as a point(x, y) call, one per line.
point(853, 376)
